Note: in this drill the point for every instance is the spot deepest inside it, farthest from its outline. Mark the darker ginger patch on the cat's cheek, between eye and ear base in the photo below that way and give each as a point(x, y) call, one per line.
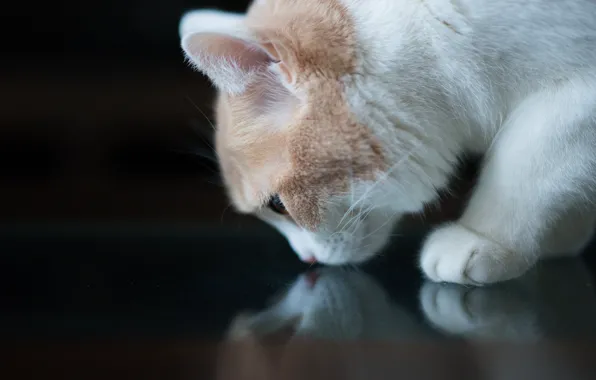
point(328, 149)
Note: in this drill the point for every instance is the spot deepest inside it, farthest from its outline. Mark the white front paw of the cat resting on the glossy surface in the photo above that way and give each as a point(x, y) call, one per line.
point(458, 255)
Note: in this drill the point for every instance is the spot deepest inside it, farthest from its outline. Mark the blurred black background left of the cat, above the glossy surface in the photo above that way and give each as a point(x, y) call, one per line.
point(100, 116)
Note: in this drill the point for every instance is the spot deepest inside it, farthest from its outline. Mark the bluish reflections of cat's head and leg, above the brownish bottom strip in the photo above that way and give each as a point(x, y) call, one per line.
point(555, 300)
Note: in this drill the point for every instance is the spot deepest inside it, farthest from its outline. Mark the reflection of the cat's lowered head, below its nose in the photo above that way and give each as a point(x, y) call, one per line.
point(333, 304)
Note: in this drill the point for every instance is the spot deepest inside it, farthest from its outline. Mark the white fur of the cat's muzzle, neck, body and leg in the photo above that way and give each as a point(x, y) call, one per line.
point(514, 80)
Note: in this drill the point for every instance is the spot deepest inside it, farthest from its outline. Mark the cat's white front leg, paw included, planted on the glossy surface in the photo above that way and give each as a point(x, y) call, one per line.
point(541, 164)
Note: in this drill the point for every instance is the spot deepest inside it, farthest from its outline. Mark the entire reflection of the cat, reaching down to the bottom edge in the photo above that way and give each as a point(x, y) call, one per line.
point(291, 336)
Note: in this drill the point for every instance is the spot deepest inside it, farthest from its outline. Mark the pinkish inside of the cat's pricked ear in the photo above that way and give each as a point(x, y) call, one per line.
point(223, 49)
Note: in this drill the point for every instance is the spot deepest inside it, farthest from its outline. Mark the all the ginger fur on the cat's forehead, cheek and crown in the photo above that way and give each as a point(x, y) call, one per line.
point(290, 132)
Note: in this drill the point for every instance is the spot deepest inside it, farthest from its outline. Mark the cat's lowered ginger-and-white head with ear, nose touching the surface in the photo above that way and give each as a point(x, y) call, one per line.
point(292, 148)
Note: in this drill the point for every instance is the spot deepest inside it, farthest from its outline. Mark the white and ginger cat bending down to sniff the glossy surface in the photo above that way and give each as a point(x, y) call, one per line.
point(337, 117)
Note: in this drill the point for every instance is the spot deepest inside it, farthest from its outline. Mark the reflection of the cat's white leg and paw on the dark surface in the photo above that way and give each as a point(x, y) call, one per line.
point(556, 300)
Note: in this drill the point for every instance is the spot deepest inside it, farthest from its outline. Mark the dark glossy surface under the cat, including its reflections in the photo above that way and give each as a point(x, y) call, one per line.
point(202, 302)
